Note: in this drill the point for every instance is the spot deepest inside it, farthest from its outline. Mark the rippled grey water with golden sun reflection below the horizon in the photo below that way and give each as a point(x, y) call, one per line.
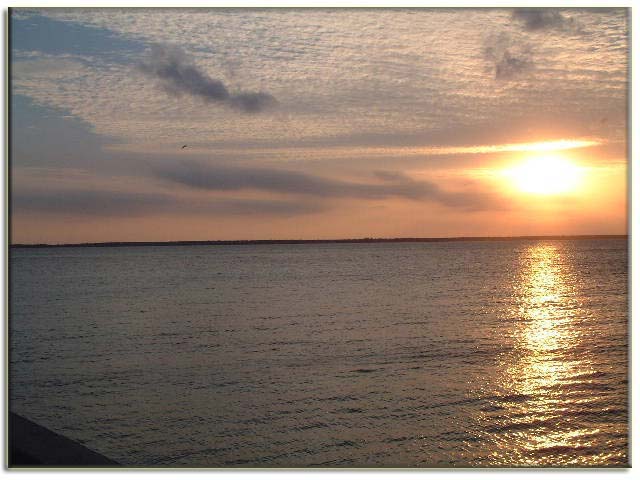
point(501, 353)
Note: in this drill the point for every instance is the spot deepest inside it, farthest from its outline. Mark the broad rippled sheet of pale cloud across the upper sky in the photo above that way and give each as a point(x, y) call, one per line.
point(337, 75)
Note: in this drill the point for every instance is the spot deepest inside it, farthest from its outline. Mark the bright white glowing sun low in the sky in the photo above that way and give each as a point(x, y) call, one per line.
point(545, 175)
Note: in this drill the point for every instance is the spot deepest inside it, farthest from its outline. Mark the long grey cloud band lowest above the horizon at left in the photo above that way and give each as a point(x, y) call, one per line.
point(123, 204)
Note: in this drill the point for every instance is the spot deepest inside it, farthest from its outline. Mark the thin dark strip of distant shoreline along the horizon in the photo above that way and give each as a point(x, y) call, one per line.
point(298, 242)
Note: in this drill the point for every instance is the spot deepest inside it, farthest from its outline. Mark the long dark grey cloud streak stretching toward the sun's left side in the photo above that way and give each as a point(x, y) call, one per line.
point(393, 184)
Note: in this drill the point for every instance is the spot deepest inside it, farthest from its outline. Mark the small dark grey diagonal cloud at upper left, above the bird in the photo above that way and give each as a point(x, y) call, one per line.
point(178, 75)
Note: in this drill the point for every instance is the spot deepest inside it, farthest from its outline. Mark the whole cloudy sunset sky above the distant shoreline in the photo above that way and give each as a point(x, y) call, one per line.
point(229, 124)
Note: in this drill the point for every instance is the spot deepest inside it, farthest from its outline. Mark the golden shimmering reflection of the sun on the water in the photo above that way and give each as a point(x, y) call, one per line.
point(544, 378)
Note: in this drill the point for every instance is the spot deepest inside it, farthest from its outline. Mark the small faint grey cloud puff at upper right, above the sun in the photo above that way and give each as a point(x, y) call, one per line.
point(509, 59)
